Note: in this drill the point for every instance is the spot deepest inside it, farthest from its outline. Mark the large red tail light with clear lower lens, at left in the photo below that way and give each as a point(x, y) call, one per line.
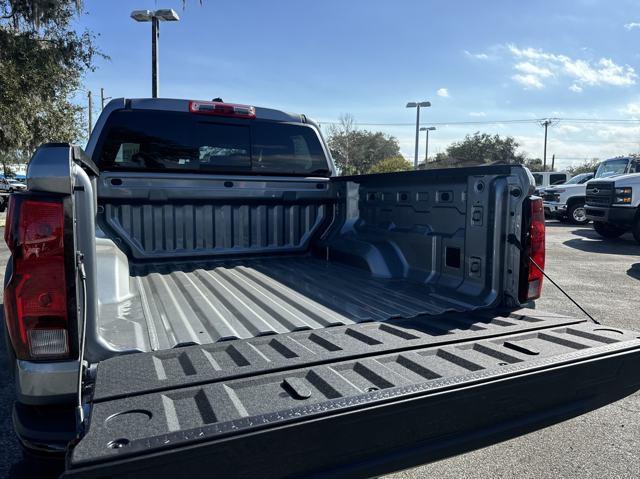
point(35, 298)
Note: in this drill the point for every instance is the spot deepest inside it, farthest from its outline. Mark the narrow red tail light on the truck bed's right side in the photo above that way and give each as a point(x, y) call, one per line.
point(534, 249)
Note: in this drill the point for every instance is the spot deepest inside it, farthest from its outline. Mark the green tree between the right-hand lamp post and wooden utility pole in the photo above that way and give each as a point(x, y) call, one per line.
point(485, 148)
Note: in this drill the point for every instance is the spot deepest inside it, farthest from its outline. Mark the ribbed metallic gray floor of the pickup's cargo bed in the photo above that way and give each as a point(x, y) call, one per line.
point(201, 303)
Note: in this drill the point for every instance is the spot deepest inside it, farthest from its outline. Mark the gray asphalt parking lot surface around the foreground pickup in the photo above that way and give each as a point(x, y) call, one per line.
point(604, 276)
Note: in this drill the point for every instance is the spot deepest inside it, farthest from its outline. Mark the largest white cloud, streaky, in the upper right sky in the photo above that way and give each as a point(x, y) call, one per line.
point(541, 65)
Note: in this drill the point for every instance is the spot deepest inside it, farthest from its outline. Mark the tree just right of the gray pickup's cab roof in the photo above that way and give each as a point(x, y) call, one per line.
point(356, 151)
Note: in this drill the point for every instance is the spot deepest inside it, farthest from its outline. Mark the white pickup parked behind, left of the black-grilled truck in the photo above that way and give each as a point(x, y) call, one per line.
point(565, 202)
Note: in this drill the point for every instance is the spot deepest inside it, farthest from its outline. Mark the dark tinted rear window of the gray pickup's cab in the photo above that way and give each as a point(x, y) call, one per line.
point(158, 140)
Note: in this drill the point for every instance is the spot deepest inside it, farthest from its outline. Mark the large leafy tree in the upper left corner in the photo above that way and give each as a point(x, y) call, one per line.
point(42, 60)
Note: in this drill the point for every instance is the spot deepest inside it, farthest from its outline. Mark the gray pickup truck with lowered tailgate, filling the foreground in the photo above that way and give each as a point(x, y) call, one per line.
point(197, 291)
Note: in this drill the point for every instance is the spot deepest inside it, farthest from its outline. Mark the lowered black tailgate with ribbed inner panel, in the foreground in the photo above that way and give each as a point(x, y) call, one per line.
point(355, 401)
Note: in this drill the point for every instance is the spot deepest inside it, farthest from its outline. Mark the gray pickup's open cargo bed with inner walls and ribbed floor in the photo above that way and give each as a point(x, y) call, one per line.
point(187, 260)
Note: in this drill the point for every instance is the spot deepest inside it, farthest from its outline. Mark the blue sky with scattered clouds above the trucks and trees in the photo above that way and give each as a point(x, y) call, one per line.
point(475, 61)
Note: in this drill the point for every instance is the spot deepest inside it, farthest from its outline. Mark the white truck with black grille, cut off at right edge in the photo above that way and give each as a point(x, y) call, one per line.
point(613, 198)
